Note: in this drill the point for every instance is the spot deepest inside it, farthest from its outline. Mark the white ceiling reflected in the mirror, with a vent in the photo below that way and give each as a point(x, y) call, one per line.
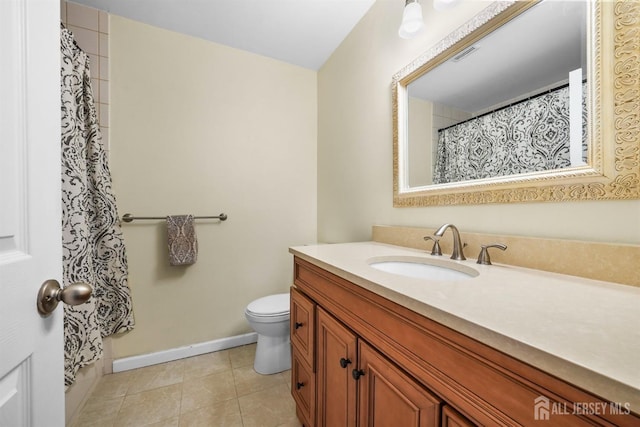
point(519, 58)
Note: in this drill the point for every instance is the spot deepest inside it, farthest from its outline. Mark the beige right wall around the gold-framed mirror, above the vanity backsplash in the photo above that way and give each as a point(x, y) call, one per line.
point(355, 150)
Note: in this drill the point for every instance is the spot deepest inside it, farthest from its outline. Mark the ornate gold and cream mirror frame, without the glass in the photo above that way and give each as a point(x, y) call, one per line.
point(613, 170)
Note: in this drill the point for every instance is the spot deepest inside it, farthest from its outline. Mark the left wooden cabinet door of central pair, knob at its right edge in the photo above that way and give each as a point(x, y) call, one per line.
point(336, 388)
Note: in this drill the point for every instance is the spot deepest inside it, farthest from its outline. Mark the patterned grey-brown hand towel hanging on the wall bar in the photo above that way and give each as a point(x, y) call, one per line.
point(183, 245)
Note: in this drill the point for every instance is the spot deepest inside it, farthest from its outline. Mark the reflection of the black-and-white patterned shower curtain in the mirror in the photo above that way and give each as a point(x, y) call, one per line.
point(529, 136)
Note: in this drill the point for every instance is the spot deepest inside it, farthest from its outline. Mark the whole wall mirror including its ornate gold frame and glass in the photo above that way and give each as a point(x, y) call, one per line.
point(533, 125)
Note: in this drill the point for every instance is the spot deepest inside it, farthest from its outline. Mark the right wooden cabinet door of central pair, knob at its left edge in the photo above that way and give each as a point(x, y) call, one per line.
point(389, 398)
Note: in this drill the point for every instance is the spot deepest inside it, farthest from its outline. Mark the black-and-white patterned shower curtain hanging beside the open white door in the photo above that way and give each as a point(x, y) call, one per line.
point(93, 247)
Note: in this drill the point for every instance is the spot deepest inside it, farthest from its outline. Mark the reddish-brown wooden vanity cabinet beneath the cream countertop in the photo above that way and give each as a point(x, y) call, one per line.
point(370, 361)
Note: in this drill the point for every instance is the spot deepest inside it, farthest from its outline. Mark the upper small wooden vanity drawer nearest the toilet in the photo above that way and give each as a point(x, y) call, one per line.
point(302, 326)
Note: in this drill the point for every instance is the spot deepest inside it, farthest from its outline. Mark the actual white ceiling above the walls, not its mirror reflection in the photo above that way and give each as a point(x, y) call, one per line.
point(299, 32)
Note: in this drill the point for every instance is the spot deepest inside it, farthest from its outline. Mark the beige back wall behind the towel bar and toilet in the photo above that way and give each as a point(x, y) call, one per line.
point(201, 128)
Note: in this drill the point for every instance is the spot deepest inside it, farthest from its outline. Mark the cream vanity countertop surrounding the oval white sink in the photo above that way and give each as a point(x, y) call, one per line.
point(586, 332)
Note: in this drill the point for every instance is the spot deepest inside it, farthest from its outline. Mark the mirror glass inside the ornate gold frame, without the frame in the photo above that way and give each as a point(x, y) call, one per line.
point(502, 106)
